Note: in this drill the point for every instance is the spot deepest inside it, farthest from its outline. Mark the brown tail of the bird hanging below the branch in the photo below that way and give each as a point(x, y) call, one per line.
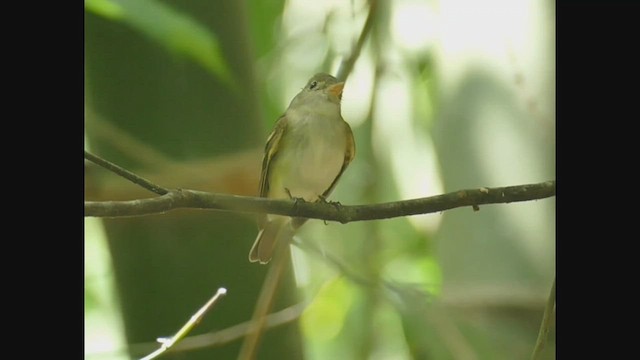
point(274, 232)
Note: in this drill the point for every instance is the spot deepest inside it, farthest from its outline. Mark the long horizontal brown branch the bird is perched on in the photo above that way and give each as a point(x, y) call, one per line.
point(330, 211)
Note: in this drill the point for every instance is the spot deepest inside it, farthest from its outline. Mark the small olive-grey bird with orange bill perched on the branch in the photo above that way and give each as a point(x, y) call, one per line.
point(305, 155)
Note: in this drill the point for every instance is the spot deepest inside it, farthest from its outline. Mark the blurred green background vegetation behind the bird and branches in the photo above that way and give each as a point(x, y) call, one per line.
point(446, 95)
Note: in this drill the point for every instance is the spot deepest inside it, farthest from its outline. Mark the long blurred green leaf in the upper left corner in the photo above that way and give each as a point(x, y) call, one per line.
point(177, 32)
